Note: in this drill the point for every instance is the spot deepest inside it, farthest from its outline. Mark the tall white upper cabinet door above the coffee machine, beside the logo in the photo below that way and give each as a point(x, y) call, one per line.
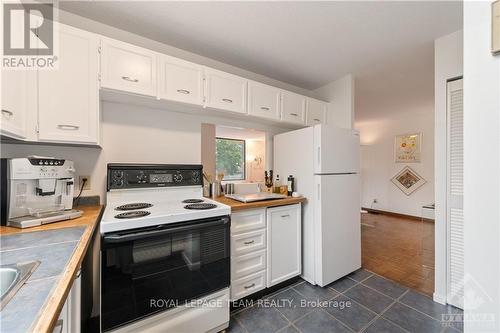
point(68, 106)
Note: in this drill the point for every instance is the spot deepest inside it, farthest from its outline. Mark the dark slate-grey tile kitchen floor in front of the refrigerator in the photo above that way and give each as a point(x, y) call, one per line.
point(360, 302)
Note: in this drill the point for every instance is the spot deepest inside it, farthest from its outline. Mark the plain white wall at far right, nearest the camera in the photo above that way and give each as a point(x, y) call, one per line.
point(481, 170)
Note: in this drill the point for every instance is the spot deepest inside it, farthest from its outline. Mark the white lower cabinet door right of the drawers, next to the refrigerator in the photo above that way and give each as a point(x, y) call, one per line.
point(284, 234)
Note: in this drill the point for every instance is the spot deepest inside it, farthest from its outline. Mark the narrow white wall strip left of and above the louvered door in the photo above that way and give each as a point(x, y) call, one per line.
point(448, 64)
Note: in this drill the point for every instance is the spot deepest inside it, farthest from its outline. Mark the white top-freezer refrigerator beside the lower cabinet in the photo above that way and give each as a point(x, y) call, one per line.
point(325, 163)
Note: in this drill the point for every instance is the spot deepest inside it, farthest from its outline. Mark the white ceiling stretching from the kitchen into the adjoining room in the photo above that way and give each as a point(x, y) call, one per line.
point(388, 46)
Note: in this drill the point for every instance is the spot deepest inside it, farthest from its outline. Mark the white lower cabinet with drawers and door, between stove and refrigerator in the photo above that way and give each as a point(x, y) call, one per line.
point(265, 248)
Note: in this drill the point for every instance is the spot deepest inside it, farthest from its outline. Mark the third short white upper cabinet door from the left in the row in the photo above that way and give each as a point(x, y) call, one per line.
point(225, 91)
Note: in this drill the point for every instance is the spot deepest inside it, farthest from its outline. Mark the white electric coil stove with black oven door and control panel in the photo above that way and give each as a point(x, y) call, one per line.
point(163, 247)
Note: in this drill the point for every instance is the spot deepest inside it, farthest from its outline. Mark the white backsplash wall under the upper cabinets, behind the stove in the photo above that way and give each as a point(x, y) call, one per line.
point(139, 135)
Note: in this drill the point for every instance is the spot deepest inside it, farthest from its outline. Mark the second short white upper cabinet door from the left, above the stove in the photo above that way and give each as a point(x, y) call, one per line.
point(180, 80)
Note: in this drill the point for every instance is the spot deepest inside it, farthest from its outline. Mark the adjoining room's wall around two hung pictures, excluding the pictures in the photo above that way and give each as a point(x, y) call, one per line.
point(378, 166)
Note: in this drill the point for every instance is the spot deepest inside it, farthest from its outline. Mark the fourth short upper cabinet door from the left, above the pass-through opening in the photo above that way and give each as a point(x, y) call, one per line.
point(263, 100)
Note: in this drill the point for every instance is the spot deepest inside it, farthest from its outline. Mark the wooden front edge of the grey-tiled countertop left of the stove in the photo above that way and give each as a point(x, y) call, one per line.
point(49, 315)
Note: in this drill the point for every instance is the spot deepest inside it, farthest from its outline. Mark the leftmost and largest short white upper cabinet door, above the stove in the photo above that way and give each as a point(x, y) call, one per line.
point(128, 68)
